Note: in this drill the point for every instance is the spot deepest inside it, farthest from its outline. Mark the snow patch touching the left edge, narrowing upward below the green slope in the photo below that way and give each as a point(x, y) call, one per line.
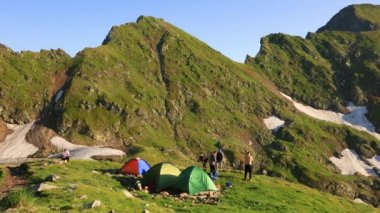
point(15, 147)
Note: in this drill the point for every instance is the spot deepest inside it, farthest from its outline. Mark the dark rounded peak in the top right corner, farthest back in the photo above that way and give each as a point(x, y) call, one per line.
point(355, 18)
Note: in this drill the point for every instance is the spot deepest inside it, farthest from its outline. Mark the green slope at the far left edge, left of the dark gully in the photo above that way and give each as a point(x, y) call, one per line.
point(28, 82)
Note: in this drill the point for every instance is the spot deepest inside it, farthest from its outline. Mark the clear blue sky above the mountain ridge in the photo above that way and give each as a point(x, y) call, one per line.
point(233, 27)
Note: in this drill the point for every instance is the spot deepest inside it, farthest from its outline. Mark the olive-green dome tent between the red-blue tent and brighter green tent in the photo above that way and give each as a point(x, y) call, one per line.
point(160, 176)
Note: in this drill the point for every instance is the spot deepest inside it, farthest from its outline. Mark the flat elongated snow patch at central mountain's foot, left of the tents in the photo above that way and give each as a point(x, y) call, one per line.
point(83, 152)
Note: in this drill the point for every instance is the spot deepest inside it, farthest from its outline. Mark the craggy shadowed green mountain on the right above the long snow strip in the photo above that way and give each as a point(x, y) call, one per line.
point(327, 69)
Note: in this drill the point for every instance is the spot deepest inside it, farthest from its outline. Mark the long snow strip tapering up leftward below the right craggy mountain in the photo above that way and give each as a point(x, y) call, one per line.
point(355, 119)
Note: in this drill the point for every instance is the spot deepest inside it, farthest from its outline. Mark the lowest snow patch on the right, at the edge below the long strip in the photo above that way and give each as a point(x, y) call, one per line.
point(351, 163)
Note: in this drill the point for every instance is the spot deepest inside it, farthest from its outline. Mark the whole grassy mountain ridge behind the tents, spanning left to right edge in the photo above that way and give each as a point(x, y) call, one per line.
point(157, 92)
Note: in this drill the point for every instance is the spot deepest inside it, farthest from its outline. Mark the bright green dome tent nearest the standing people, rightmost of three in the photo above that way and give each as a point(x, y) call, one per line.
point(193, 180)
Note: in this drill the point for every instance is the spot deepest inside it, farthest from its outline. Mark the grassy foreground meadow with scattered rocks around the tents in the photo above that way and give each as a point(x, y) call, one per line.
point(262, 194)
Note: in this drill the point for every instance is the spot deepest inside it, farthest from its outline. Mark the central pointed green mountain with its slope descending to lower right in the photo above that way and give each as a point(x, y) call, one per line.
point(162, 94)
